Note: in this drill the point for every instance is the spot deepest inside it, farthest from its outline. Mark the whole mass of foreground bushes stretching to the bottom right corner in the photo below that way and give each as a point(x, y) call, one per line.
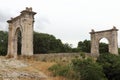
point(106, 67)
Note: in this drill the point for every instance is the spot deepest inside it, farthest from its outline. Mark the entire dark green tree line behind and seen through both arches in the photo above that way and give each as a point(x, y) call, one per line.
point(46, 43)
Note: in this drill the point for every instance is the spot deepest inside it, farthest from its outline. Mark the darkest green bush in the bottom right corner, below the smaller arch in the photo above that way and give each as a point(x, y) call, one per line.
point(111, 65)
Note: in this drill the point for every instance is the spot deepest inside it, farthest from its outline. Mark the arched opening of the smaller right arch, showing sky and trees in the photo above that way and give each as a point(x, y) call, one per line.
point(103, 45)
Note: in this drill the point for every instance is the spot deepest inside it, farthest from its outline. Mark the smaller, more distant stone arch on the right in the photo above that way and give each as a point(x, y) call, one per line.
point(110, 35)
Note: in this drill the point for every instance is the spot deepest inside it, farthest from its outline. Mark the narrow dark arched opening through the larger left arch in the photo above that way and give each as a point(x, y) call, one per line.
point(19, 40)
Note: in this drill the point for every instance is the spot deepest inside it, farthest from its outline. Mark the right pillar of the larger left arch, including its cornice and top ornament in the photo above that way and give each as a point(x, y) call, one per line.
point(27, 38)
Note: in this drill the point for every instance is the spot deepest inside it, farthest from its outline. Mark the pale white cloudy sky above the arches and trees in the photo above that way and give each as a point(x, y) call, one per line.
point(69, 20)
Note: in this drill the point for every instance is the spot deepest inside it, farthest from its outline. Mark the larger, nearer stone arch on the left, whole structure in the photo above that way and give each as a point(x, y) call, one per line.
point(23, 23)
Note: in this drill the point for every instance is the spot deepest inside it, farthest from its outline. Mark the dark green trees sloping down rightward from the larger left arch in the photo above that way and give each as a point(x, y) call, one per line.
point(46, 43)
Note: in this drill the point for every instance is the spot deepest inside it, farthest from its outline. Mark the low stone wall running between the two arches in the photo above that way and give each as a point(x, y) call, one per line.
point(56, 56)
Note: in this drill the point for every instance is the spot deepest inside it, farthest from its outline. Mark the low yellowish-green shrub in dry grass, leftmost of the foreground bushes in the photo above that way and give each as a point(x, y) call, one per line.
point(63, 70)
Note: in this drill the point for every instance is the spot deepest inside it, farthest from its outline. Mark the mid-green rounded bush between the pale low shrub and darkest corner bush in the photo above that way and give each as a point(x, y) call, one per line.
point(87, 69)
